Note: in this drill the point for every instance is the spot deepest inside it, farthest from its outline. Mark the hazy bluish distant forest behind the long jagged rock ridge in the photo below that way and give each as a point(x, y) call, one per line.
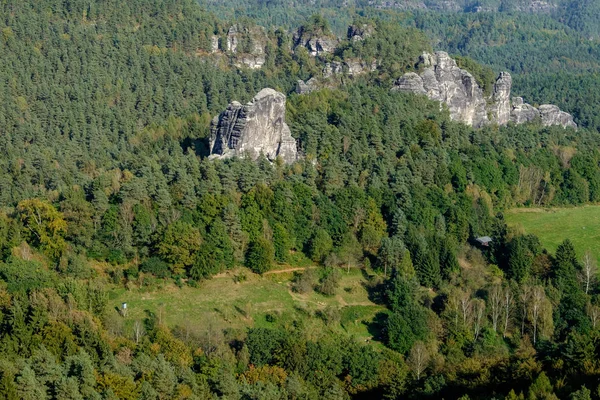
point(551, 55)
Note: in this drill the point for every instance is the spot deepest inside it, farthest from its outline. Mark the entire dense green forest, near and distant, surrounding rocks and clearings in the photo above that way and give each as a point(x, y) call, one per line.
point(105, 110)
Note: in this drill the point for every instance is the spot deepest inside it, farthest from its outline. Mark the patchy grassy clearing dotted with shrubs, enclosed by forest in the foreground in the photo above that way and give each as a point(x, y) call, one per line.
point(222, 303)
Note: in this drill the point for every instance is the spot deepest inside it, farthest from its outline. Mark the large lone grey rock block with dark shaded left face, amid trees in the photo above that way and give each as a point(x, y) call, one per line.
point(255, 128)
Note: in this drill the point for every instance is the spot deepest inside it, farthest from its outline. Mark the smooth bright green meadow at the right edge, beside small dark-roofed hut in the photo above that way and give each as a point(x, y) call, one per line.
point(579, 224)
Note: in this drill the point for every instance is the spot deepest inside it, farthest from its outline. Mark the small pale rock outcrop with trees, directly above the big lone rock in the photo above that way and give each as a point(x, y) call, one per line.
point(247, 45)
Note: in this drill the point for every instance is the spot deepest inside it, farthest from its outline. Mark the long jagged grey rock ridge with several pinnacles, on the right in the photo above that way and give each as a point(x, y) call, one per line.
point(442, 80)
